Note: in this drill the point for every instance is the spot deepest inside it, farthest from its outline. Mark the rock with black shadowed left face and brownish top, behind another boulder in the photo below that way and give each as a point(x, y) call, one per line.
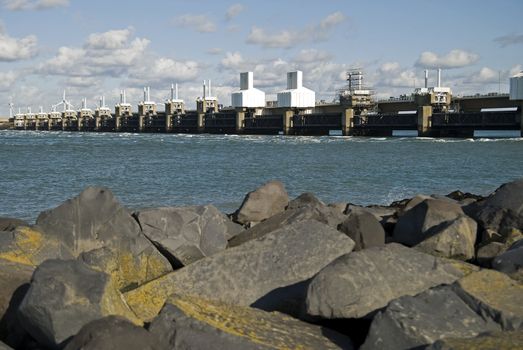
point(414, 224)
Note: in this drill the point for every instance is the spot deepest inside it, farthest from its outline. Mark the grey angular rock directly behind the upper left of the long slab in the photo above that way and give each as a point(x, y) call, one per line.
point(186, 234)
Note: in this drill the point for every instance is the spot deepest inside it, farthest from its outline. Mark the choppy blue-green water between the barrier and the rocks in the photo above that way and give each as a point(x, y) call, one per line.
point(39, 170)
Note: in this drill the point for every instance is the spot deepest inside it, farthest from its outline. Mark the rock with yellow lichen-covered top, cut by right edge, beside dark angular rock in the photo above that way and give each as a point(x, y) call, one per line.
point(494, 295)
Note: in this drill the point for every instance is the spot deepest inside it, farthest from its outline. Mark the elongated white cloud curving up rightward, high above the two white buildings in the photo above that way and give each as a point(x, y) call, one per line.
point(291, 38)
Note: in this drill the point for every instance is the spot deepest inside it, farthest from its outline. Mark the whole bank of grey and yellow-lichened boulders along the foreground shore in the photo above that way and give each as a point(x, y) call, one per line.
point(435, 272)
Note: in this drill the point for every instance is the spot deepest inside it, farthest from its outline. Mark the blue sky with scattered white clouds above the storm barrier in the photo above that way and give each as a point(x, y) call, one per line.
point(93, 48)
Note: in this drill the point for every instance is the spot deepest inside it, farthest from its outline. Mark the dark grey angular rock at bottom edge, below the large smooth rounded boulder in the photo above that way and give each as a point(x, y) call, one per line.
point(412, 321)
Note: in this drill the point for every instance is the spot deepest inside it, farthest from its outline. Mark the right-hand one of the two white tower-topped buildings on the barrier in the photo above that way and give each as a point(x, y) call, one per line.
point(296, 95)
